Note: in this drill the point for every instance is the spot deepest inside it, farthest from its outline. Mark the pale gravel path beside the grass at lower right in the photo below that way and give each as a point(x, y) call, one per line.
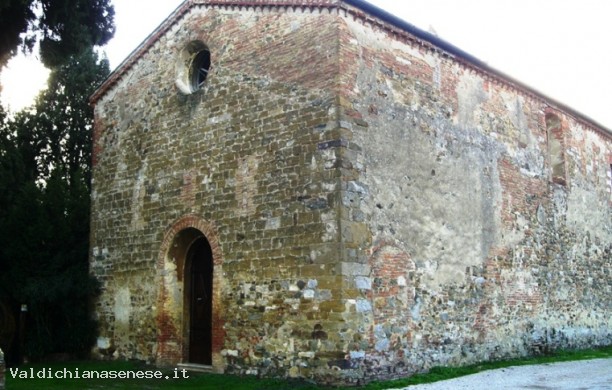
point(579, 375)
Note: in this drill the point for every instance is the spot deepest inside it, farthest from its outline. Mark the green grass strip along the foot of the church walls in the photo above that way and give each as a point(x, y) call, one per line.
point(171, 379)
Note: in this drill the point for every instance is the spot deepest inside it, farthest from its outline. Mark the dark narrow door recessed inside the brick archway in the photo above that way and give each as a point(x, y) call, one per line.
point(198, 300)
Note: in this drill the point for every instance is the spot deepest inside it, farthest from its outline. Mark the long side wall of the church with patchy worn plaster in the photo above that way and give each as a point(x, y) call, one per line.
point(482, 241)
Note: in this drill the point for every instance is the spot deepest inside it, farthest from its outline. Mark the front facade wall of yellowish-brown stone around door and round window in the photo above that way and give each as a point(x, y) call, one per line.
point(250, 163)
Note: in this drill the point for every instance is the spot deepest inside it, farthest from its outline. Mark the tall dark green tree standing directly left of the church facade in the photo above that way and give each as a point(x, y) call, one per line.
point(45, 170)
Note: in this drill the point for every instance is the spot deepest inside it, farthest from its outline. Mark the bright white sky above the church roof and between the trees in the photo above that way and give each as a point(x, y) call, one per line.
point(559, 47)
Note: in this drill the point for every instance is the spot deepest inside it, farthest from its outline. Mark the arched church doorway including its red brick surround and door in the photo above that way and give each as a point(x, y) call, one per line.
point(189, 312)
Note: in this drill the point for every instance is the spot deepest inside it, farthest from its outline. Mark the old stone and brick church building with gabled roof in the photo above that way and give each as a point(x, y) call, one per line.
point(318, 189)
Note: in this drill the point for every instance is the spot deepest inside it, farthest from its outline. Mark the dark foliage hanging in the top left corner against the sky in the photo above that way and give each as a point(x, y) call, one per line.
point(63, 27)
